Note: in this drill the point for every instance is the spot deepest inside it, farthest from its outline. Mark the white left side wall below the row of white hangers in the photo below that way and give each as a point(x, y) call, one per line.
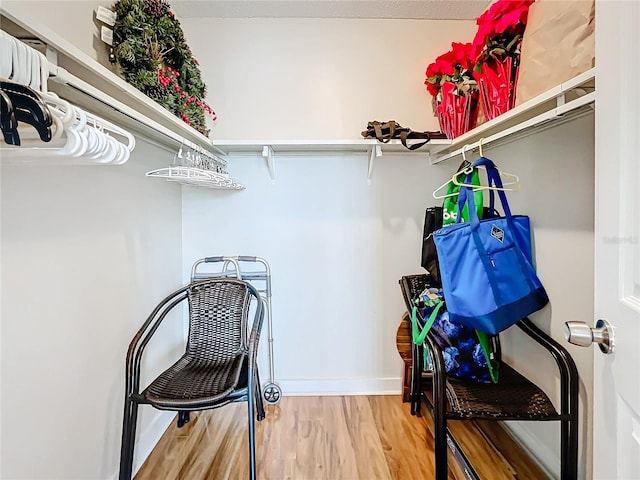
point(87, 252)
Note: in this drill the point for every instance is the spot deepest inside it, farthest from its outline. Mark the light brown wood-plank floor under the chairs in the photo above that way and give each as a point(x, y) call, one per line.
point(328, 438)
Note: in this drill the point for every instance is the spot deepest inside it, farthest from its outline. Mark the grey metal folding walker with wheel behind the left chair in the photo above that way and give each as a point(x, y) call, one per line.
point(260, 278)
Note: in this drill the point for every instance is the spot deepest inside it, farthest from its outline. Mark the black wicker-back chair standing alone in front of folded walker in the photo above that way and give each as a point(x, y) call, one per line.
point(218, 367)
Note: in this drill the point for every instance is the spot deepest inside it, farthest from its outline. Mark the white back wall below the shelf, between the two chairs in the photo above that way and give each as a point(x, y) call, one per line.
point(337, 249)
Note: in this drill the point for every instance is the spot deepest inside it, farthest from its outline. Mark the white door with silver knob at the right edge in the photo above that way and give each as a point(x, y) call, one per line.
point(616, 423)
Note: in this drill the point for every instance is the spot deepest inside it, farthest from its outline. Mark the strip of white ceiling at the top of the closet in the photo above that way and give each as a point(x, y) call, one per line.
point(416, 9)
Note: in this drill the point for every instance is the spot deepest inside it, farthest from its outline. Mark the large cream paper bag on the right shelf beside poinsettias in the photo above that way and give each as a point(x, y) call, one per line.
point(558, 44)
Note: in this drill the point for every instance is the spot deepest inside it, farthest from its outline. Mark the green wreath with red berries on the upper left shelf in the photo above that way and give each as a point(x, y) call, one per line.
point(154, 57)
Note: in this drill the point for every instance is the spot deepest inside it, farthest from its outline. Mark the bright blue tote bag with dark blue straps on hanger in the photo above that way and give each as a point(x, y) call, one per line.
point(488, 279)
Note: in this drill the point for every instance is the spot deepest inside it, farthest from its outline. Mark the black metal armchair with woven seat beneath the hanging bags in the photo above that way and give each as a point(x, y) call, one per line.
point(514, 397)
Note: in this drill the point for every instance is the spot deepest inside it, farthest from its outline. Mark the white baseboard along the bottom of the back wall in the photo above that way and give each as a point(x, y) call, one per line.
point(341, 386)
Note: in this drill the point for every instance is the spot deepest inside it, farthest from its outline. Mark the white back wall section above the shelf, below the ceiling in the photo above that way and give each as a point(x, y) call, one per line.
point(318, 78)
